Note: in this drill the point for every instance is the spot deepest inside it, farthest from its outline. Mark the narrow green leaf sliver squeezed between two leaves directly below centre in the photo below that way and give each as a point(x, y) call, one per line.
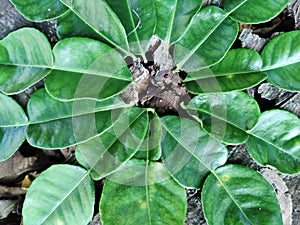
point(150, 149)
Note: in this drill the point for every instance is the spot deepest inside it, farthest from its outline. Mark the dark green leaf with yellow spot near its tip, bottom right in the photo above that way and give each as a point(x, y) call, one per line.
point(235, 194)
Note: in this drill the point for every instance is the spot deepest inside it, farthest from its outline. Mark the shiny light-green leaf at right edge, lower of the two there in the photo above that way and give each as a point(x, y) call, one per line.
point(275, 140)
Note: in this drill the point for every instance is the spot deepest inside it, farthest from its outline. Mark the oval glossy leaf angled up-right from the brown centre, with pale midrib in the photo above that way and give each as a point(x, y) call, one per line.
point(202, 45)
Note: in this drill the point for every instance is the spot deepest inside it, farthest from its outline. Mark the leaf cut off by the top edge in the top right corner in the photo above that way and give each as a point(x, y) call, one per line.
point(254, 11)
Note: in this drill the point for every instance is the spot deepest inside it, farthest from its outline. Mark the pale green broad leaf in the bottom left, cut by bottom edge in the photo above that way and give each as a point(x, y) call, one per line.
point(63, 194)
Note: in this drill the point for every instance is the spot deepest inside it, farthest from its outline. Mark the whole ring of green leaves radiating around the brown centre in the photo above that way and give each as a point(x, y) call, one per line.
point(148, 160)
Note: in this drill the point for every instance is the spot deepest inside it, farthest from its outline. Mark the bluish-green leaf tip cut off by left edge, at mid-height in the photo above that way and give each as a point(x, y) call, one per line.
point(13, 124)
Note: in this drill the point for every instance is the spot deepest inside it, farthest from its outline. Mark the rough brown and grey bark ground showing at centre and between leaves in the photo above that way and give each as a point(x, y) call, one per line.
point(157, 87)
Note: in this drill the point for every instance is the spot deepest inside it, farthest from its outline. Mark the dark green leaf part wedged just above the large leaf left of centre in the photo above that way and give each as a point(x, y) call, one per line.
point(70, 25)
